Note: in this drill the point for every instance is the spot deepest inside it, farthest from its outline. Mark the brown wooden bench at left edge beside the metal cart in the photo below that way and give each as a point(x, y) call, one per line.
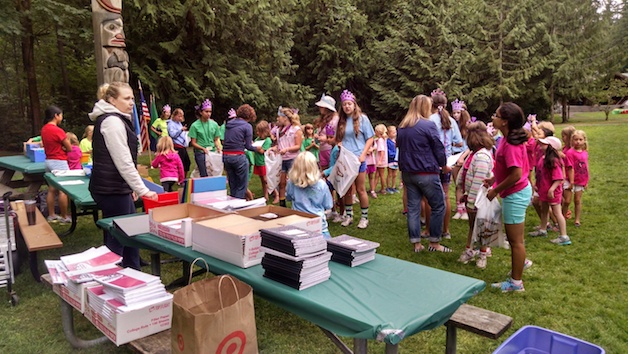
point(36, 237)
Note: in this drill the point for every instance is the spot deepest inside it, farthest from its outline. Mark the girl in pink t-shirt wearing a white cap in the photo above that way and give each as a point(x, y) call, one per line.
point(549, 186)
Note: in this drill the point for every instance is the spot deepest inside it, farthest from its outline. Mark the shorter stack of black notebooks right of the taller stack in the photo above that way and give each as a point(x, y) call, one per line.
point(351, 251)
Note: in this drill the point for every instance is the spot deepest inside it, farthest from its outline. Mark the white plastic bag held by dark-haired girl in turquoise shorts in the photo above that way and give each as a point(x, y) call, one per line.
point(488, 221)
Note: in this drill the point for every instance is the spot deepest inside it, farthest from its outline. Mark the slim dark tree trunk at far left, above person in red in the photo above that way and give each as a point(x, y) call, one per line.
point(28, 60)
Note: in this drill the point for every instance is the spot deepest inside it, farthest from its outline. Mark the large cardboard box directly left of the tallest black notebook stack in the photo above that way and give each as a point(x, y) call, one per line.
point(237, 244)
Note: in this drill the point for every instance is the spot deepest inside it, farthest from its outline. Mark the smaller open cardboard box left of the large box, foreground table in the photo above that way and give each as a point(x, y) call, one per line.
point(180, 235)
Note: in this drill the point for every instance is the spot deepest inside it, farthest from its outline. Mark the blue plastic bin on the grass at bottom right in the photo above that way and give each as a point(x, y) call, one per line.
point(538, 340)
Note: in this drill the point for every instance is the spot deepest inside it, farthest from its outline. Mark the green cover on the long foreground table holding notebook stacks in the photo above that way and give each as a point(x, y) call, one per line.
point(386, 299)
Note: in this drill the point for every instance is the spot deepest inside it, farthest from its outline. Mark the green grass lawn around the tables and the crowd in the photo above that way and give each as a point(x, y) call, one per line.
point(579, 290)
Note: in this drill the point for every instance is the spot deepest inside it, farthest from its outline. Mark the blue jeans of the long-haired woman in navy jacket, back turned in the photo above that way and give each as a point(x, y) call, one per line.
point(428, 186)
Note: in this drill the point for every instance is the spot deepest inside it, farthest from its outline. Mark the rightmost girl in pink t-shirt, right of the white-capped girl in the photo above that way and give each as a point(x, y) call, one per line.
point(578, 174)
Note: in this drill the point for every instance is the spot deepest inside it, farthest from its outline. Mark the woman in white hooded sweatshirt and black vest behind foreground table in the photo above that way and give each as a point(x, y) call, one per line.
point(115, 183)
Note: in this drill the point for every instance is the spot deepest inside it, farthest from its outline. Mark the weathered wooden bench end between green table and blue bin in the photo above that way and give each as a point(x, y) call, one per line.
point(476, 320)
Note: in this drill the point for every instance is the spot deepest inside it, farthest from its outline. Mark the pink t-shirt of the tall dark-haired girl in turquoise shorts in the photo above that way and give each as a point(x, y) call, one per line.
point(508, 156)
